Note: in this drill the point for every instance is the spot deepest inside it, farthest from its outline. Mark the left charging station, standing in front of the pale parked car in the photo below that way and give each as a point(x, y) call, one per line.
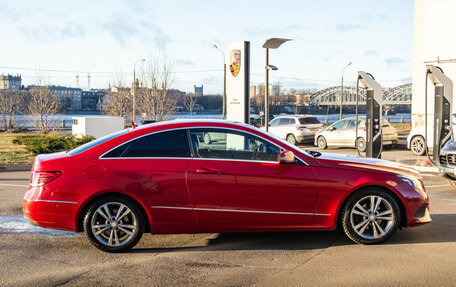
point(374, 102)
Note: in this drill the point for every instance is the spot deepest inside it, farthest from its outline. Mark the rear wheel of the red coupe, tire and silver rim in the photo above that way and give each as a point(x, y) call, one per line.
point(118, 234)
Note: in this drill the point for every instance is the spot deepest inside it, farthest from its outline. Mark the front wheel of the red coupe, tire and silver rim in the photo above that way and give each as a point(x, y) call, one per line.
point(365, 227)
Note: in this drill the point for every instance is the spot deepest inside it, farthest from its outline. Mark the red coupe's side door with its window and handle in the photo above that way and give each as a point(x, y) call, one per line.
point(239, 182)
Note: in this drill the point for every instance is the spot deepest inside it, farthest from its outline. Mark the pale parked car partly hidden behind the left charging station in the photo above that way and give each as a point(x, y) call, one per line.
point(343, 134)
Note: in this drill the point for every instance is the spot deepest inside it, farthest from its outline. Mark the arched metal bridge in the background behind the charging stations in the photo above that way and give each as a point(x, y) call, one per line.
point(400, 95)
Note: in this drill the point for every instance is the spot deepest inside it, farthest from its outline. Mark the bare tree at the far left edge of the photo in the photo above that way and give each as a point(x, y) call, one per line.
point(11, 104)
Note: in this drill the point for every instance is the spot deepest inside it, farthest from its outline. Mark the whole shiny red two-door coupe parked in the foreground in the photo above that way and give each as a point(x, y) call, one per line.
point(169, 178)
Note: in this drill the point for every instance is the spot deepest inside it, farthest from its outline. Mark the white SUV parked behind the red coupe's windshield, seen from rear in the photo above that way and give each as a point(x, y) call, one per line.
point(295, 128)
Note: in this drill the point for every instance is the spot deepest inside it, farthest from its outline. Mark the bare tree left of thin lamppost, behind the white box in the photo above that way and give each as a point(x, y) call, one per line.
point(118, 100)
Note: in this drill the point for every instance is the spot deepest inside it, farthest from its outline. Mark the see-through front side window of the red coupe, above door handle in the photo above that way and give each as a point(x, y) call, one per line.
point(228, 144)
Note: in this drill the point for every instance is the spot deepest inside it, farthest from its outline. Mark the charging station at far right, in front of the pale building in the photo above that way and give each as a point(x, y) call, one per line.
point(443, 101)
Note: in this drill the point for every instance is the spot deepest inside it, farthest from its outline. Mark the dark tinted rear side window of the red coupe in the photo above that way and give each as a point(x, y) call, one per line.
point(162, 144)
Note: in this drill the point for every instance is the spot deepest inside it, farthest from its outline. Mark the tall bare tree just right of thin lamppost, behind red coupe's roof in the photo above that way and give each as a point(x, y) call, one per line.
point(153, 100)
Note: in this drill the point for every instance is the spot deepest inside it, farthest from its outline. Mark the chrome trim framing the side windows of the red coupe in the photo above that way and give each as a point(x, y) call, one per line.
point(191, 148)
